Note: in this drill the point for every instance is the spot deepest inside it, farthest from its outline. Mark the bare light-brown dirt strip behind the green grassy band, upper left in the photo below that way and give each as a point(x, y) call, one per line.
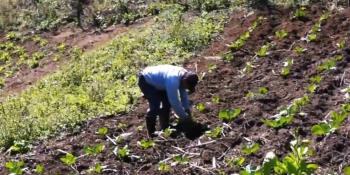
point(85, 40)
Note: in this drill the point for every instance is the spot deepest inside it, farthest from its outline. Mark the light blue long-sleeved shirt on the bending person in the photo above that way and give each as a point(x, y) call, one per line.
point(168, 78)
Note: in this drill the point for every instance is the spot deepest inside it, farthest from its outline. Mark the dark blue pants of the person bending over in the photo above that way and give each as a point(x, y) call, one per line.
point(158, 104)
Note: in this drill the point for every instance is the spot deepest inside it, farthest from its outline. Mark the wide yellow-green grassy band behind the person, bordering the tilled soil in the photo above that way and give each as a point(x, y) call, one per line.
point(104, 81)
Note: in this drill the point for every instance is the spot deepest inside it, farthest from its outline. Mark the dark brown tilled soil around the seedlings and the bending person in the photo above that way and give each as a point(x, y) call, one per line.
point(230, 84)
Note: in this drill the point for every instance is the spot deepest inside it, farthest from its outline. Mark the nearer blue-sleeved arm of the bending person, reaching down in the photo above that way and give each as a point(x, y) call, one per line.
point(172, 90)
